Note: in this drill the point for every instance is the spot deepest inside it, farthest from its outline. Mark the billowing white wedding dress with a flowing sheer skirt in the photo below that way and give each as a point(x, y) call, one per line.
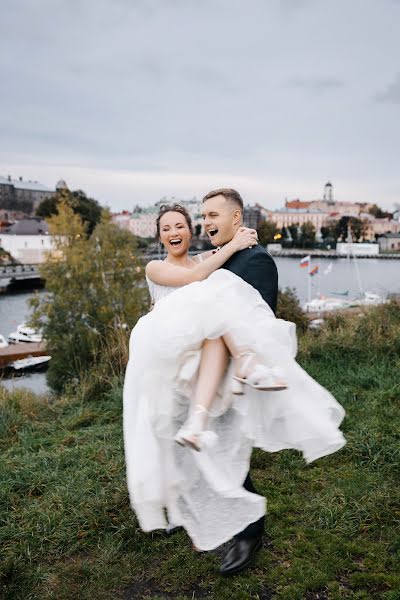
point(202, 491)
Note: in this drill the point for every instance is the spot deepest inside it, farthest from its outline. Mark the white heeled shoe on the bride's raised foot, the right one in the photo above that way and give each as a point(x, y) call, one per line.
point(261, 377)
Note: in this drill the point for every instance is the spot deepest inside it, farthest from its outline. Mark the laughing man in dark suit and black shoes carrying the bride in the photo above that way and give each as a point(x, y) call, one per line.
point(223, 215)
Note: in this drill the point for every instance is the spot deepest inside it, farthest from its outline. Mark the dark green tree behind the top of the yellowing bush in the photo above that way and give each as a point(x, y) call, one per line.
point(87, 208)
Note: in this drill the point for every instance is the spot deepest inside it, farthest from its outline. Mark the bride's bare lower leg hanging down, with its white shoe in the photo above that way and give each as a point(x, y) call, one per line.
point(213, 364)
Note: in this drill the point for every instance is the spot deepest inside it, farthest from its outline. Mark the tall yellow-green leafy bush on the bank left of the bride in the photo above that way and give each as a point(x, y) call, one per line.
point(94, 285)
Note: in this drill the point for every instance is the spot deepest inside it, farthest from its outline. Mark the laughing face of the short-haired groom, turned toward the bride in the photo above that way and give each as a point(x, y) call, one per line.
point(221, 219)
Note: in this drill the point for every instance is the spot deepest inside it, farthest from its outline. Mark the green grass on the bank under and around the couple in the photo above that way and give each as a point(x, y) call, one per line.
point(332, 529)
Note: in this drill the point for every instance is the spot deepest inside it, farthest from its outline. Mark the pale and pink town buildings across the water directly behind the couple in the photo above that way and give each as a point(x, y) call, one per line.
point(321, 213)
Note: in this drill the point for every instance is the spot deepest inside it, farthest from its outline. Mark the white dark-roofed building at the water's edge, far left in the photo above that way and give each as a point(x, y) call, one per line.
point(28, 241)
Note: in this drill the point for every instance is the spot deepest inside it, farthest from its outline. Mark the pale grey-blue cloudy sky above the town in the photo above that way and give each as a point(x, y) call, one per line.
point(131, 100)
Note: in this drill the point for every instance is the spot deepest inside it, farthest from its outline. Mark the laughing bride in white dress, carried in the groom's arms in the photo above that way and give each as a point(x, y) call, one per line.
point(210, 367)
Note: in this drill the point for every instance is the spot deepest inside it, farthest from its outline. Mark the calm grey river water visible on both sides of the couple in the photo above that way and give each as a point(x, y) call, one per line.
point(375, 275)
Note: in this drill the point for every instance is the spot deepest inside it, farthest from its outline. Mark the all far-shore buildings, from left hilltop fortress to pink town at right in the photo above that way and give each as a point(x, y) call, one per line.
point(28, 240)
